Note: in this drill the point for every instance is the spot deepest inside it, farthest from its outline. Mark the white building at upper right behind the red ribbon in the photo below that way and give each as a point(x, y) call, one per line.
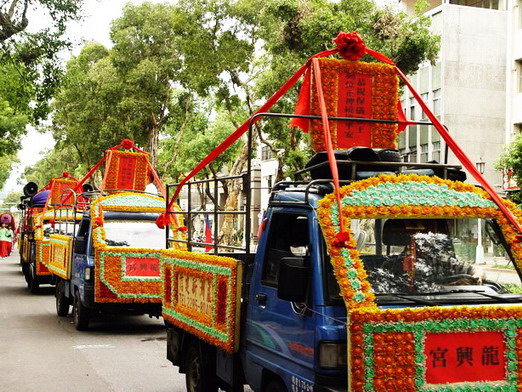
point(475, 88)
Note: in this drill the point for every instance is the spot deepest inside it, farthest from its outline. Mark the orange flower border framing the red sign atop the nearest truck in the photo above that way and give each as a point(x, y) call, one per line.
point(385, 89)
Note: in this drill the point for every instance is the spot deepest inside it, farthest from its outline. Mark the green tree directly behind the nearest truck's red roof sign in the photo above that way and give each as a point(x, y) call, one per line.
point(294, 30)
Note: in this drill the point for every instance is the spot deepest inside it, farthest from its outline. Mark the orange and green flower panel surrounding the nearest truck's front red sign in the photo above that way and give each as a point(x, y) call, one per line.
point(388, 346)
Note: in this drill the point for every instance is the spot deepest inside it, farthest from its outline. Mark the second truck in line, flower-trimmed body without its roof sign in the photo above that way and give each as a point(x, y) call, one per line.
point(109, 261)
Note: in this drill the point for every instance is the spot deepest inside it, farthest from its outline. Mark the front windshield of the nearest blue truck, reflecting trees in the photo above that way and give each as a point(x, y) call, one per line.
point(423, 256)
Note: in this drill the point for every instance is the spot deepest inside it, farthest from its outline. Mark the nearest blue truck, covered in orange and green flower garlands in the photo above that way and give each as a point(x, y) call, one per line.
point(368, 287)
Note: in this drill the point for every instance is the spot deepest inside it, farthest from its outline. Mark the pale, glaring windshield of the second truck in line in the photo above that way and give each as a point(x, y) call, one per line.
point(134, 234)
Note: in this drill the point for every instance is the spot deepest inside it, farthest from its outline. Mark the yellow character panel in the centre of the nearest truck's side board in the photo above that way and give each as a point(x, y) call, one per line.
point(195, 293)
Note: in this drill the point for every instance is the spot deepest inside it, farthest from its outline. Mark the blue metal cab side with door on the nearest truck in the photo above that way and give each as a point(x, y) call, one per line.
point(295, 329)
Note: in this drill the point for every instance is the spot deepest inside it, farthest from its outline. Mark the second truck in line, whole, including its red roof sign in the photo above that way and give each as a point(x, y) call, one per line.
point(109, 261)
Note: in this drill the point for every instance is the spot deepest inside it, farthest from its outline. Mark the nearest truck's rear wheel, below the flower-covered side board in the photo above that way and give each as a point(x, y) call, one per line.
point(199, 377)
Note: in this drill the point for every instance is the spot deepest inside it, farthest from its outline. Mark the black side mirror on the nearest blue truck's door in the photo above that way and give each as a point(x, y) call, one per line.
point(292, 282)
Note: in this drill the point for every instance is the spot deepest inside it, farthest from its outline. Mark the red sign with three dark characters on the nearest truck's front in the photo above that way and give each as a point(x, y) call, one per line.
point(464, 357)
